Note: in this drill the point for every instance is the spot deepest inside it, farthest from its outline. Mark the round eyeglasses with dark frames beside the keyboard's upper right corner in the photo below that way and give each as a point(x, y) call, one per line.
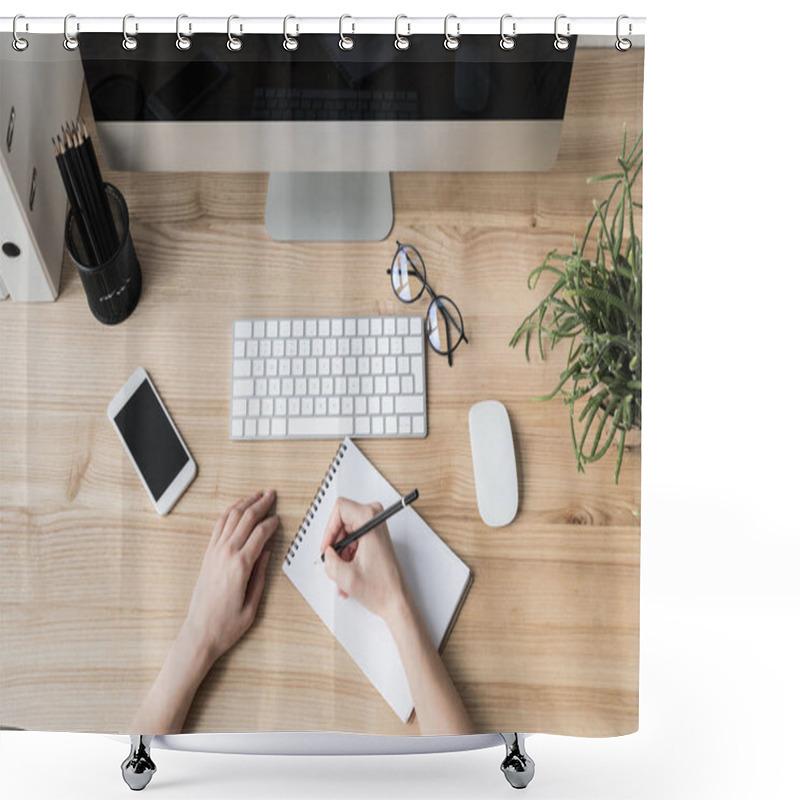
point(443, 322)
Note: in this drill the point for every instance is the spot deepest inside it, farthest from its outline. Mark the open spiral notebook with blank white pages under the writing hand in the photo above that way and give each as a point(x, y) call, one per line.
point(437, 577)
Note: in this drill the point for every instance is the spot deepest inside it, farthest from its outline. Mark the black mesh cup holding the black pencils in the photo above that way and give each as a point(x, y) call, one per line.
point(113, 287)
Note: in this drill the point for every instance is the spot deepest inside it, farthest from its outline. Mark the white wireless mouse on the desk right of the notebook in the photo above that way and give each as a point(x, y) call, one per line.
point(494, 463)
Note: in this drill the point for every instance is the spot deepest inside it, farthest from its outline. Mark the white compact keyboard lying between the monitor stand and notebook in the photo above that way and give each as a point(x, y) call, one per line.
point(329, 377)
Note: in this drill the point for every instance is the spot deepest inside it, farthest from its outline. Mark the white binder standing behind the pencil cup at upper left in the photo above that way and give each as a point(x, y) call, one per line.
point(40, 89)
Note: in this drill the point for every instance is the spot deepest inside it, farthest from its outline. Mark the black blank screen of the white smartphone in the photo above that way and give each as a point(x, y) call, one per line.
point(151, 439)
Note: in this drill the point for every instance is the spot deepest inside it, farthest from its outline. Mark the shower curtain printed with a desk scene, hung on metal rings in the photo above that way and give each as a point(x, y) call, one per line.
point(531, 296)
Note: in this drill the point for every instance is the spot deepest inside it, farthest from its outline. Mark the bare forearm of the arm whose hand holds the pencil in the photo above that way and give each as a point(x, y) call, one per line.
point(438, 706)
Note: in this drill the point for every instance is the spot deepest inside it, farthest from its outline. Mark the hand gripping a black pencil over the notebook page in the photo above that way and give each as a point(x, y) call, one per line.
point(367, 569)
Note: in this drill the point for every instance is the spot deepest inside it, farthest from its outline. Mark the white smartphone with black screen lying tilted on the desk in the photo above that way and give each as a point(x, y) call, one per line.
point(152, 441)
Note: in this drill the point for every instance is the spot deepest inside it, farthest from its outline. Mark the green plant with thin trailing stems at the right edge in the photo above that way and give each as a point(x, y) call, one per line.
point(596, 304)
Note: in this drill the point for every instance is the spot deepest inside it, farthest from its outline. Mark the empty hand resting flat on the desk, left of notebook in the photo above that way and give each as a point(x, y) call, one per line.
point(231, 580)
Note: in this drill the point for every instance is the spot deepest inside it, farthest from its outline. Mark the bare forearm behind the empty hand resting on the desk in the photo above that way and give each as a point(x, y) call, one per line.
point(167, 703)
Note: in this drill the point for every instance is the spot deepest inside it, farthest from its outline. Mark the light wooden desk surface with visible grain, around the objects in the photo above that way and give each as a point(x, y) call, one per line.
point(95, 585)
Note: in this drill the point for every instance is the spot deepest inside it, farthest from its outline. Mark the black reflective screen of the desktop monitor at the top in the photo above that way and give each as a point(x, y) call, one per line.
point(320, 81)
